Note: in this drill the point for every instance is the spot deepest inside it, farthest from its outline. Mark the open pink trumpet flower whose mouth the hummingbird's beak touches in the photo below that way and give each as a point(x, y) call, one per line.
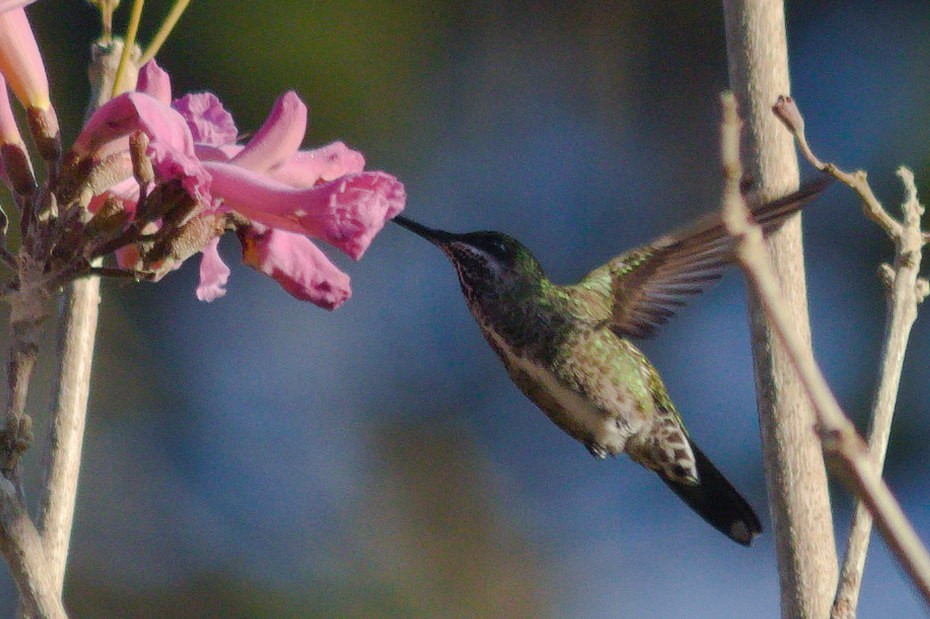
point(272, 183)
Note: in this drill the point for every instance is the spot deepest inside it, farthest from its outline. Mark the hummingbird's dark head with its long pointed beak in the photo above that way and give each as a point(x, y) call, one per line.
point(486, 262)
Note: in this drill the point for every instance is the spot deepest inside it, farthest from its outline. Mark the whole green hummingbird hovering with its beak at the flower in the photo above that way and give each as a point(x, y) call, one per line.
point(569, 348)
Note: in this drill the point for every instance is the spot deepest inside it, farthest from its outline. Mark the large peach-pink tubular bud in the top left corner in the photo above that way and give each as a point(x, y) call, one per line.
point(20, 60)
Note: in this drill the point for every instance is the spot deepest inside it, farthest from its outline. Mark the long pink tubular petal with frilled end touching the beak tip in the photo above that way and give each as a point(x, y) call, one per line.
point(346, 213)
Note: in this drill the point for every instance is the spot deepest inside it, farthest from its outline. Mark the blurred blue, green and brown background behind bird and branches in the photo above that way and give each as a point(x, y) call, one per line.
point(261, 457)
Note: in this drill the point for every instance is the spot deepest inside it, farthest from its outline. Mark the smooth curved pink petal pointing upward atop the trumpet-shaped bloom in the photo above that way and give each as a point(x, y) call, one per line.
point(280, 136)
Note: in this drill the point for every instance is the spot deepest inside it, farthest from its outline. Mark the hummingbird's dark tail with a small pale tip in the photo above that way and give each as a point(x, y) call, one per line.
point(717, 501)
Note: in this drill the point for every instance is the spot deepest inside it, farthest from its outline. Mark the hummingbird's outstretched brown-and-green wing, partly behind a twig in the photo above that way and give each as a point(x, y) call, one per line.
point(640, 290)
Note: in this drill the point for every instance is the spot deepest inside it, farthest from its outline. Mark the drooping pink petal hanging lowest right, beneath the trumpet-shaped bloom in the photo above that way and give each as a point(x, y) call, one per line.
point(297, 265)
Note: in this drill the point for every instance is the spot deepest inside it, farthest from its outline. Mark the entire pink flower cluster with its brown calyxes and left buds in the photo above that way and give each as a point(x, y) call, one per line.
point(155, 180)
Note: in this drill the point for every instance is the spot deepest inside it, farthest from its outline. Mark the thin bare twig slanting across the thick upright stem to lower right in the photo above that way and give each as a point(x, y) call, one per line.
point(837, 434)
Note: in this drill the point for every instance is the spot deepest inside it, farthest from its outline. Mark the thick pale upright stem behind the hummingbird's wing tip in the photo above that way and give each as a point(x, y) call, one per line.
point(796, 480)
